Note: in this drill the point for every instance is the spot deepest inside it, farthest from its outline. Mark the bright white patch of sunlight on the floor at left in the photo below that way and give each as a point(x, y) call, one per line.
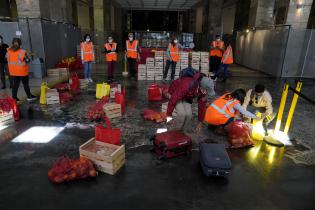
point(38, 134)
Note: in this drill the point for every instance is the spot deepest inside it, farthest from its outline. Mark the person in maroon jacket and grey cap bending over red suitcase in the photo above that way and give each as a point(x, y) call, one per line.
point(182, 92)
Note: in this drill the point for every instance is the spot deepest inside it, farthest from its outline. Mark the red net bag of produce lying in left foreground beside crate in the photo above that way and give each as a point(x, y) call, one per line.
point(65, 169)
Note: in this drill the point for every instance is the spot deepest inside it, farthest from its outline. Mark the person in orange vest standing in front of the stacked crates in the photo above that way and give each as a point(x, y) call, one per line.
point(173, 57)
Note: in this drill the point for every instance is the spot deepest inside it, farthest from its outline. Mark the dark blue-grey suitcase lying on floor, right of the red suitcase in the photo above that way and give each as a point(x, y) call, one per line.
point(214, 160)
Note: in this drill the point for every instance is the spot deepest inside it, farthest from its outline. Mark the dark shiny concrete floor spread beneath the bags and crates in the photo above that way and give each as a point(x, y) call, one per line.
point(262, 177)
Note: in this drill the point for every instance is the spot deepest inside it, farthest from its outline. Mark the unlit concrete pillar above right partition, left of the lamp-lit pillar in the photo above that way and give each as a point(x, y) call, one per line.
point(261, 13)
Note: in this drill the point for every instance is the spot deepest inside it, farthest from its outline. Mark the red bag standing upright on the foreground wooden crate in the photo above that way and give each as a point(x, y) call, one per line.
point(107, 134)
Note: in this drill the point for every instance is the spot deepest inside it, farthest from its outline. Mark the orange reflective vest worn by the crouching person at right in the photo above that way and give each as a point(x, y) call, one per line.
point(221, 110)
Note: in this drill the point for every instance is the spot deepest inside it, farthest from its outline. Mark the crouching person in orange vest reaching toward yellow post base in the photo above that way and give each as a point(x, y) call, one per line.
point(224, 109)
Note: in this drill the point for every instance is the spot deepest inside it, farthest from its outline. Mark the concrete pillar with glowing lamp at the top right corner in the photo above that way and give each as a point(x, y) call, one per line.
point(298, 13)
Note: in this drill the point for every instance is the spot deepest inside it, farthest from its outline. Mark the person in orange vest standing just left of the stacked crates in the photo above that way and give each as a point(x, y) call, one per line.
point(132, 55)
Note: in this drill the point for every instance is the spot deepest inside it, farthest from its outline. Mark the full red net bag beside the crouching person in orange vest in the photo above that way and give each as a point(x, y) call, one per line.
point(239, 135)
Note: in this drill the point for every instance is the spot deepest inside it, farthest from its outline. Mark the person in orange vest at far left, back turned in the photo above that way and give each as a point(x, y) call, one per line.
point(19, 70)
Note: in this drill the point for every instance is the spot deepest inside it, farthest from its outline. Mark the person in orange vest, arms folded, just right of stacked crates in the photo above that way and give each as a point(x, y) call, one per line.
point(216, 53)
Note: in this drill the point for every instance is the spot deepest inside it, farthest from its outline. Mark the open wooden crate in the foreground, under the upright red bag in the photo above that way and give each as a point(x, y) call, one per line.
point(108, 158)
